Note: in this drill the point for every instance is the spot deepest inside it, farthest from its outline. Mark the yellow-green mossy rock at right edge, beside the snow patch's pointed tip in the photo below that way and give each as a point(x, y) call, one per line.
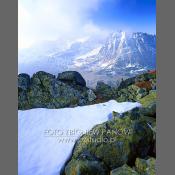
point(149, 99)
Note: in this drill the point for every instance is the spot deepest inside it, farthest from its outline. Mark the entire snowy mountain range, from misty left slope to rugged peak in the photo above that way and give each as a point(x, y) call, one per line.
point(121, 54)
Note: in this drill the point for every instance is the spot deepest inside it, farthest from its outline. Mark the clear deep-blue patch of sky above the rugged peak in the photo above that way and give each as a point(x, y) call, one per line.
point(137, 15)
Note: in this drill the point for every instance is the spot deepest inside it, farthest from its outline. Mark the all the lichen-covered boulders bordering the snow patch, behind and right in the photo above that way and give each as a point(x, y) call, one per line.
point(125, 145)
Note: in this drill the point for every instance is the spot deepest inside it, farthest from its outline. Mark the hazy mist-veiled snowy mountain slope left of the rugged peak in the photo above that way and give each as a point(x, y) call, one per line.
point(52, 57)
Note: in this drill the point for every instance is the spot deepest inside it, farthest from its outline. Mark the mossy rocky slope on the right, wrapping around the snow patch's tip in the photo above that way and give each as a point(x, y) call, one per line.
point(127, 143)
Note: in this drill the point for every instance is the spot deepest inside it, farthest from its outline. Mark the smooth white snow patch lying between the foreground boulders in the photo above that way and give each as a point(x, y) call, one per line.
point(44, 141)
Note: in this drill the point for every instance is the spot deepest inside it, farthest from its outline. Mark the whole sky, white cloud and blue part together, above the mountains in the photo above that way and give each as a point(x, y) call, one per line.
point(40, 20)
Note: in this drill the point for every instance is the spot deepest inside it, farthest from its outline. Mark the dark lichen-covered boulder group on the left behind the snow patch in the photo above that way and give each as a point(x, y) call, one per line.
point(43, 90)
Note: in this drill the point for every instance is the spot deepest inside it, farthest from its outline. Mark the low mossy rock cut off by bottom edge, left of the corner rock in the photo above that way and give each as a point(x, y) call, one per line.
point(124, 170)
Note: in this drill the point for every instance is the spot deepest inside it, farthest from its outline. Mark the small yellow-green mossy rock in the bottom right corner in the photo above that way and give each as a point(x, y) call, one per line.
point(145, 167)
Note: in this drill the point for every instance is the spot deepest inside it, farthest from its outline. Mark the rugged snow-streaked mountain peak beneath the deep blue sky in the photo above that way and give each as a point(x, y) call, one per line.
point(124, 51)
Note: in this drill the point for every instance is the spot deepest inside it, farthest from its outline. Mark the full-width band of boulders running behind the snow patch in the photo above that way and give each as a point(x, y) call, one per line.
point(68, 89)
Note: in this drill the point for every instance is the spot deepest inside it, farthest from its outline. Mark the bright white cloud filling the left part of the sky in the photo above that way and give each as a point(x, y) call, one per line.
point(52, 19)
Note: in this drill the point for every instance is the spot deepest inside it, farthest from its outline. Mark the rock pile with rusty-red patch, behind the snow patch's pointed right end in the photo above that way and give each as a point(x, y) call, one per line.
point(132, 89)
